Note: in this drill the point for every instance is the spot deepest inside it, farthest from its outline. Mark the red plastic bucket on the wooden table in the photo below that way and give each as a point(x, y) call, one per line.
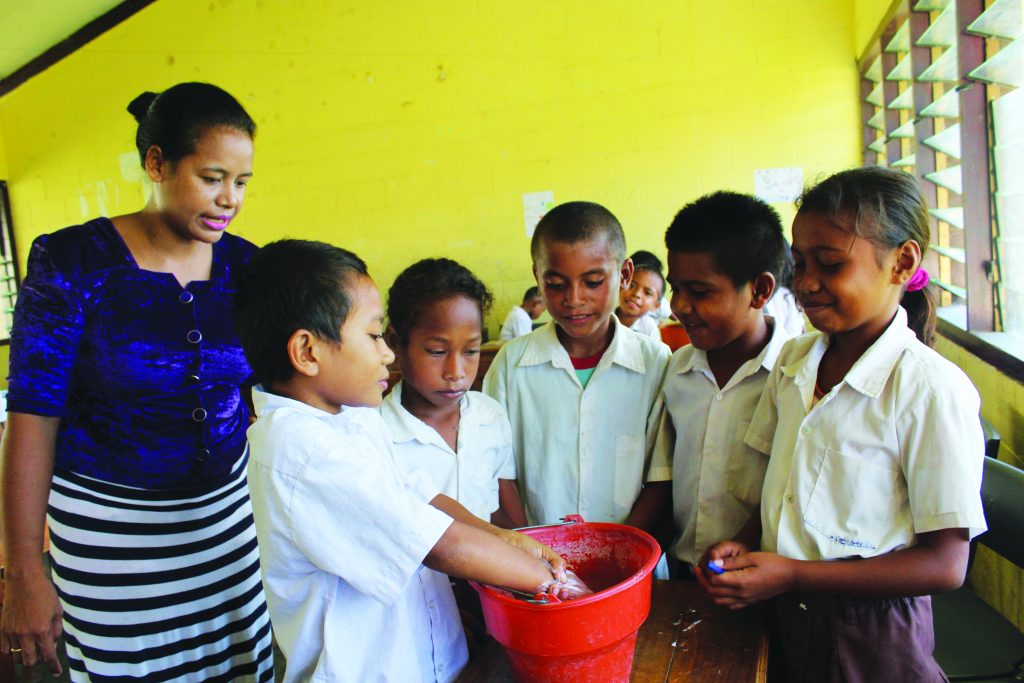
point(588, 639)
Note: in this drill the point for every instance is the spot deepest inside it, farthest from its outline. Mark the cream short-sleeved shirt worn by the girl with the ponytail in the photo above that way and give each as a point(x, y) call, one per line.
point(893, 451)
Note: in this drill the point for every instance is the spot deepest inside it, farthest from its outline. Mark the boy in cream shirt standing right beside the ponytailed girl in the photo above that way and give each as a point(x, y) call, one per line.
point(726, 252)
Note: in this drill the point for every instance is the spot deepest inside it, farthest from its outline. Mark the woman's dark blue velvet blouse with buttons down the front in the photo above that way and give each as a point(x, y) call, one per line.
point(145, 375)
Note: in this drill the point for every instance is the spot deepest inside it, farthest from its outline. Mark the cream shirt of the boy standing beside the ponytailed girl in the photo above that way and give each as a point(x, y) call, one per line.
point(716, 479)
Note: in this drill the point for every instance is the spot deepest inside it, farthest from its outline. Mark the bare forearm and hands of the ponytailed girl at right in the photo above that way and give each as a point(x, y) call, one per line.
point(937, 564)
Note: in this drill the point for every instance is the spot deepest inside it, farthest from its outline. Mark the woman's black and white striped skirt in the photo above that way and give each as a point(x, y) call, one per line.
point(159, 585)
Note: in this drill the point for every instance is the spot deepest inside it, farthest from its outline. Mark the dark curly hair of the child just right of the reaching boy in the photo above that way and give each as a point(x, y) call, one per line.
point(424, 284)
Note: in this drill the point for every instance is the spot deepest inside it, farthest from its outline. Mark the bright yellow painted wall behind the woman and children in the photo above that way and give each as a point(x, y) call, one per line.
point(410, 130)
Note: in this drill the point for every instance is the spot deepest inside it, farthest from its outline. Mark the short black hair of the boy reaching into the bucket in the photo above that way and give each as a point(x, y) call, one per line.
point(287, 286)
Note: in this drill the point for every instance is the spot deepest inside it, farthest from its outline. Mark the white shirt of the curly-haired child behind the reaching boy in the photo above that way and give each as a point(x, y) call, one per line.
point(485, 450)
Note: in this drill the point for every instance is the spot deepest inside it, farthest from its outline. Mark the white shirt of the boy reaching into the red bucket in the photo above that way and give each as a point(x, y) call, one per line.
point(343, 540)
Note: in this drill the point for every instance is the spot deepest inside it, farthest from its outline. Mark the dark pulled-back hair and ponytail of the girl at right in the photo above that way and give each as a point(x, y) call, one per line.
point(887, 208)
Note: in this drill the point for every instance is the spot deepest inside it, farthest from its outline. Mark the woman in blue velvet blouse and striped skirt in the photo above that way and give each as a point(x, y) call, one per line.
point(126, 425)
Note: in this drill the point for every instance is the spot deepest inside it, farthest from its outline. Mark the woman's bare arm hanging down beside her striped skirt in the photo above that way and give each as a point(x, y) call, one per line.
point(32, 614)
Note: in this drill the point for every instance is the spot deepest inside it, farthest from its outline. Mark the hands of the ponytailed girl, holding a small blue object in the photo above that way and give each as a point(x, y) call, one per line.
point(749, 579)
